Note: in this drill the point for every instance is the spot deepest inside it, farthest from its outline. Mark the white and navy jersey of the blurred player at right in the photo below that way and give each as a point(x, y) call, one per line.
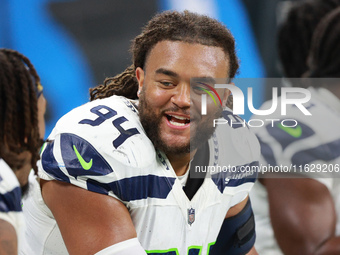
point(315, 140)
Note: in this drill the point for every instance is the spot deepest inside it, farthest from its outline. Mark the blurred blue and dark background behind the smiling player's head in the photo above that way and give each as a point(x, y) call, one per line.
point(75, 44)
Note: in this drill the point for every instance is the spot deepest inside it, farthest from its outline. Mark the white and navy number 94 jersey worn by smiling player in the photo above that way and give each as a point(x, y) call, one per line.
point(102, 147)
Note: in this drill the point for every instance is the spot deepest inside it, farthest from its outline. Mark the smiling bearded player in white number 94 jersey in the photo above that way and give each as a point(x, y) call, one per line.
point(115, 174)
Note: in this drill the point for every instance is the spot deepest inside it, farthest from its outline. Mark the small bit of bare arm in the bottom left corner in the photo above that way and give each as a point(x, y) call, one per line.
point(8, 239)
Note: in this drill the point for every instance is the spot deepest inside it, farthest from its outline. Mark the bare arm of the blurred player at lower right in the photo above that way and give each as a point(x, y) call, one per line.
point(303, 216)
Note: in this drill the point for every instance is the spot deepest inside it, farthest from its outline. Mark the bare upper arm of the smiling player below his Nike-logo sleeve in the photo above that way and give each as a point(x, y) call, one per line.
point(89, 222)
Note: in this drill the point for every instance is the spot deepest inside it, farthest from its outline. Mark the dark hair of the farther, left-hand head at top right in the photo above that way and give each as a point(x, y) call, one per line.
point(296, 32)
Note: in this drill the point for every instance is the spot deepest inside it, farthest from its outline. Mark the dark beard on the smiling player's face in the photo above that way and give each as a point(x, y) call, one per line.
point(151, 125)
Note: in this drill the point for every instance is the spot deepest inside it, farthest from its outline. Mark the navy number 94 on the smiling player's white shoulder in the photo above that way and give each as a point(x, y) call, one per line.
point(105, 113)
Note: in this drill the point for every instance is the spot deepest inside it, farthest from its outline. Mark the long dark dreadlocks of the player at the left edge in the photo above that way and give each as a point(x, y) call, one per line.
point(19, 130)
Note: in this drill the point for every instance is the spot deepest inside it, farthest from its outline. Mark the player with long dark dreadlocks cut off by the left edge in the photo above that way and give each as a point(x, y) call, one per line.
point(22, 127)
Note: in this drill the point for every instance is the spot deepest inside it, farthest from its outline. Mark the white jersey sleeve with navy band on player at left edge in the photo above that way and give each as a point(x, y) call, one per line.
point(10, 199)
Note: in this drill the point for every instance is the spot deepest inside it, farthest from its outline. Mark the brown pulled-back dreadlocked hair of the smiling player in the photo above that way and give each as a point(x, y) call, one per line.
point(173, 26)
